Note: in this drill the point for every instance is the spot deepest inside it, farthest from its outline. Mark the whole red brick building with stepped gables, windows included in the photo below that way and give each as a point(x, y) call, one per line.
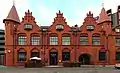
point(95, 42)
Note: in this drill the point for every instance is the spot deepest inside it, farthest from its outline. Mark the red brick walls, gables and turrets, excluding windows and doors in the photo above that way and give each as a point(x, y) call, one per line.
point(102, 28)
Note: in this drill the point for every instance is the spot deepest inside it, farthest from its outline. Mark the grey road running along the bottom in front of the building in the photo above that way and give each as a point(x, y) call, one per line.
point(59, 70)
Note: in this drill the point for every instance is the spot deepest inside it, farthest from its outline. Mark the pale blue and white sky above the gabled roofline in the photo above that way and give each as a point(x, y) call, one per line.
point(45, 11)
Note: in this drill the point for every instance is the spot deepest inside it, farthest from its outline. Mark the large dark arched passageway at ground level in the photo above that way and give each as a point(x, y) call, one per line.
point(84, 59)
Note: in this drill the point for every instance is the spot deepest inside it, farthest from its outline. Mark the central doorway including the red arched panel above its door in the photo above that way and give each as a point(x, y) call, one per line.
point(53, 56)
